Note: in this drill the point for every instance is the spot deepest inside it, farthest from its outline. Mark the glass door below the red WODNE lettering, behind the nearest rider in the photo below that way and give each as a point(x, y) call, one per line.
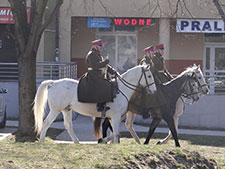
point(121, 49)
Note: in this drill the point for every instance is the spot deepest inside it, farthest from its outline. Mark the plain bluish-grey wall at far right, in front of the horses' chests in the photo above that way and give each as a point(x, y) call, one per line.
point(208, 112)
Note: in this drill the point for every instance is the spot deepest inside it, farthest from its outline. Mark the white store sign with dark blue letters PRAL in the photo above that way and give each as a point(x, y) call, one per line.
point(200, 26)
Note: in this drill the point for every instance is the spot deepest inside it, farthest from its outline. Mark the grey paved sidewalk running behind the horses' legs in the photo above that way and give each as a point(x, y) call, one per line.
point(83, 128)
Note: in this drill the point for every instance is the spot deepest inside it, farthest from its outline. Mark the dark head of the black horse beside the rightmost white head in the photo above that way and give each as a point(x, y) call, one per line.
point(191, 88)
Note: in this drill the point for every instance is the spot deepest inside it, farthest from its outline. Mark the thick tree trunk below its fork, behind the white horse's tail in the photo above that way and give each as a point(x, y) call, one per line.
point(27, 90)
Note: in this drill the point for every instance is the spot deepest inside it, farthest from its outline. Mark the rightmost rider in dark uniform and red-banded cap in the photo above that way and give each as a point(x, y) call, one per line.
point(160, 70)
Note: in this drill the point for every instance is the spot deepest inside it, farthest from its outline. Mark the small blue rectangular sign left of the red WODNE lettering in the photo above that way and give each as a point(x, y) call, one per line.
point(99, 22)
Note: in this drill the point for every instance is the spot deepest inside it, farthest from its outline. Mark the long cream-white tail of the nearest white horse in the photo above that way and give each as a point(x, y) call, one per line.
point(40, 103)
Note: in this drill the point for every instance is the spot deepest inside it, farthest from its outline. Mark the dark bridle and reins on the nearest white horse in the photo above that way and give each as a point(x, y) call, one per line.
point(136, 87)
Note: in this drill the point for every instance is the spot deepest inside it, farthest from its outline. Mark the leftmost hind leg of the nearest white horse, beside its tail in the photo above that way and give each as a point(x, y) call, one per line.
point(47, 122)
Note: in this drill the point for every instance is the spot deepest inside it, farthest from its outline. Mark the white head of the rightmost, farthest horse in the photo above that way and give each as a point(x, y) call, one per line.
point(197, 73)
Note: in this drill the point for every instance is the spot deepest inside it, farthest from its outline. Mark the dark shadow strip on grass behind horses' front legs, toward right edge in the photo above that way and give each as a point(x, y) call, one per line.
point(217, 141)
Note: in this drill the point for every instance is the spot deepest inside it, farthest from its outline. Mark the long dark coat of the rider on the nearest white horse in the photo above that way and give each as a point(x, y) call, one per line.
point(95, 86)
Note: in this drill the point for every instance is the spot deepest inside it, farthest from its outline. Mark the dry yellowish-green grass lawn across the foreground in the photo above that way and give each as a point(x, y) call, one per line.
point(195, 152)
